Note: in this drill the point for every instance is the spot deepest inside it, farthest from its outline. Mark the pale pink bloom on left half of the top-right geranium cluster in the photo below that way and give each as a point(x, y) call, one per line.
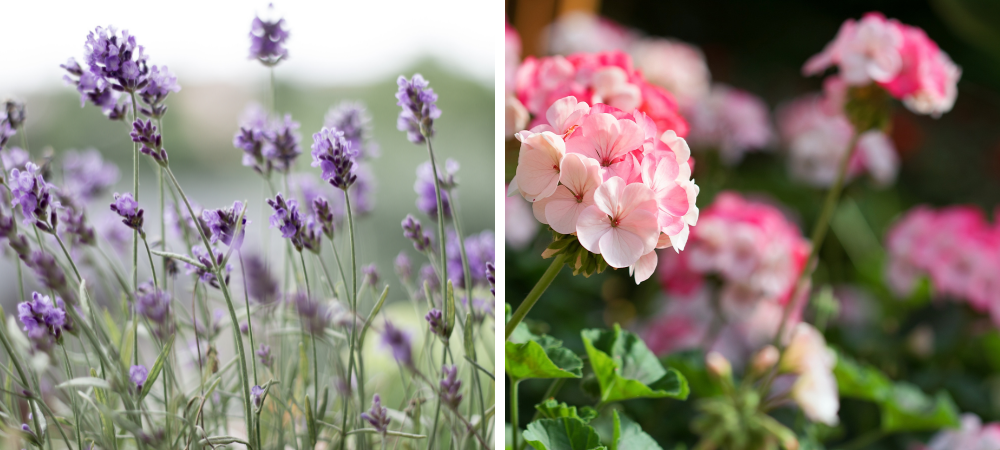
point(865, 51)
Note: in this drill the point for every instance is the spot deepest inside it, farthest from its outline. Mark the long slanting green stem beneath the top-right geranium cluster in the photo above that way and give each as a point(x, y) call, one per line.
point(818, 234)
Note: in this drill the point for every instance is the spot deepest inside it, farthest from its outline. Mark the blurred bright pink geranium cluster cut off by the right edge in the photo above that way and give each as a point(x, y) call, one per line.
point(955, 247)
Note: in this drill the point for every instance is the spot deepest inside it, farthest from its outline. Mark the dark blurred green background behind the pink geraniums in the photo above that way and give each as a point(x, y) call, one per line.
point(760, 47)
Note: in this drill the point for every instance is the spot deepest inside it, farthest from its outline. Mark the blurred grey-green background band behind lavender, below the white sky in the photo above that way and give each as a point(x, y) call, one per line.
point(198, 133)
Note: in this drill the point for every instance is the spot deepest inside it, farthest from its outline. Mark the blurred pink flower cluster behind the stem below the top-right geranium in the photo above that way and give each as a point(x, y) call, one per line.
point(817, 134)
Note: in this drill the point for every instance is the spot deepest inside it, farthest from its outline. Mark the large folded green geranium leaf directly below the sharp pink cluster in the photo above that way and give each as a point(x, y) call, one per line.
point(626, 369)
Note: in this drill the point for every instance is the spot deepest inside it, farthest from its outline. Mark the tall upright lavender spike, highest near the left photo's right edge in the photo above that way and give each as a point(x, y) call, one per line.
point(419, 108)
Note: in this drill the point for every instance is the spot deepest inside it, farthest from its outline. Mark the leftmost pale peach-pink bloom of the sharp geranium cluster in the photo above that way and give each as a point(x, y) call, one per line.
point(538, 163)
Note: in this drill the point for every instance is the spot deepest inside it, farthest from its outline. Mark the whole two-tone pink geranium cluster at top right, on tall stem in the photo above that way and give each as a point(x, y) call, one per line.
point(900, 58)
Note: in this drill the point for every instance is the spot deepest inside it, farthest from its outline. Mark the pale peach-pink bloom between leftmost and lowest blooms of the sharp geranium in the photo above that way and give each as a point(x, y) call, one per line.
point(580, 176)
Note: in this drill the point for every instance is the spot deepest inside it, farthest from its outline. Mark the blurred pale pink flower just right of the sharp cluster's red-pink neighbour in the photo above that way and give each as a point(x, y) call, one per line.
point(731, 120)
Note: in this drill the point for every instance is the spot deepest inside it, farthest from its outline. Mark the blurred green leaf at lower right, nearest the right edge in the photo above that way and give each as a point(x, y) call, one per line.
point(909, 409)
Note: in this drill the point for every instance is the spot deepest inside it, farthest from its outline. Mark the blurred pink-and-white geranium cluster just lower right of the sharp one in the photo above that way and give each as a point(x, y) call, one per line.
point(756, 253)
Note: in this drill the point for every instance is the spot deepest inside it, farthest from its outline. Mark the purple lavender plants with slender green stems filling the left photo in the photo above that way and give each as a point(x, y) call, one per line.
point(101, 359)
